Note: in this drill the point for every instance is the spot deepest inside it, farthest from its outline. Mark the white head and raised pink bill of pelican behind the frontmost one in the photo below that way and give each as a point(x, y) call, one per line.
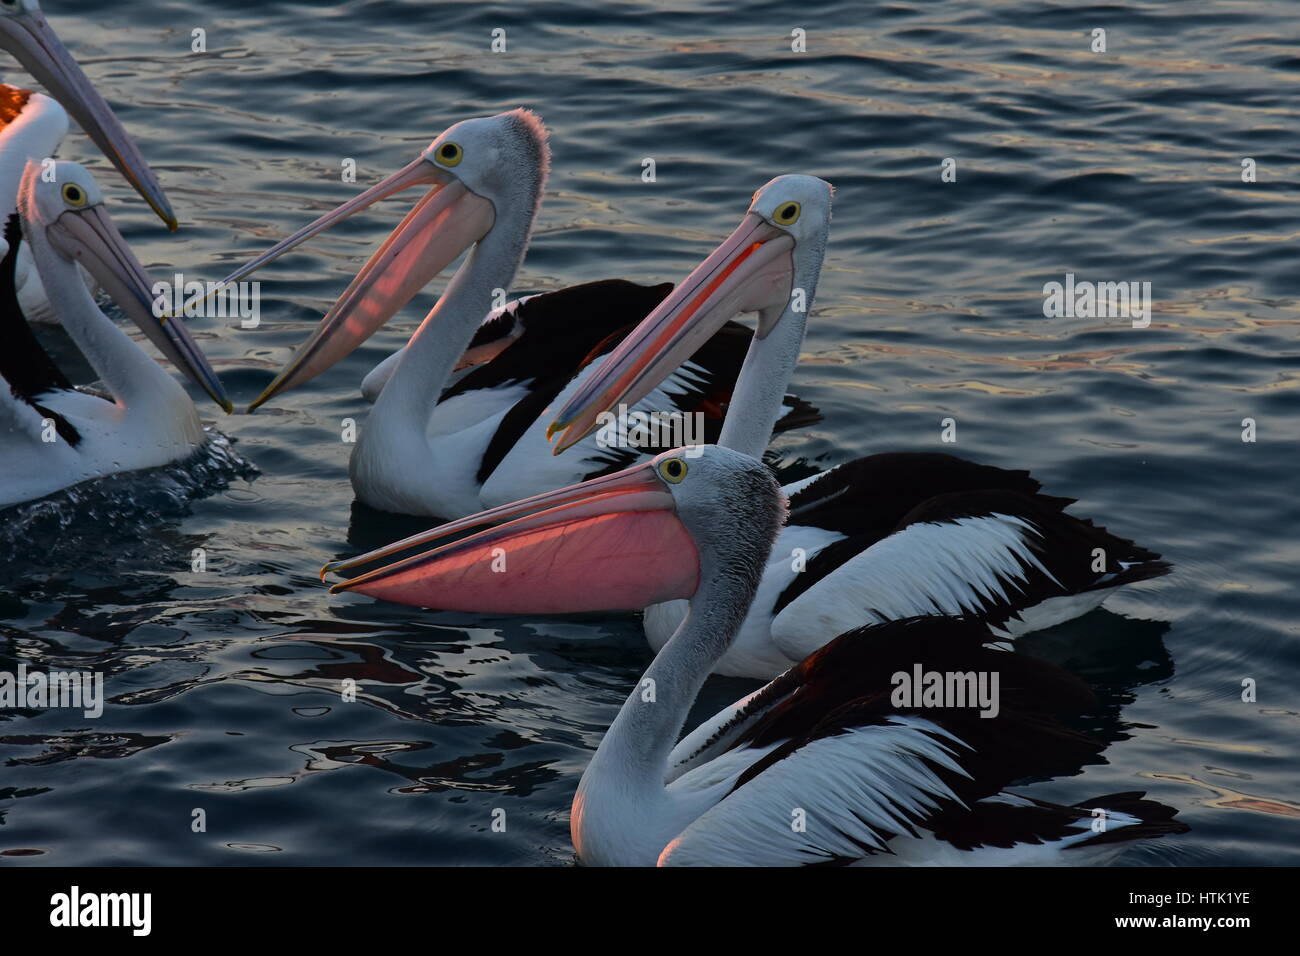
point(777, 249)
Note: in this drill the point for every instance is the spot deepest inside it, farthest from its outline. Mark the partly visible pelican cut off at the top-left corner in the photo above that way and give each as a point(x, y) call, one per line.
point(40, 126)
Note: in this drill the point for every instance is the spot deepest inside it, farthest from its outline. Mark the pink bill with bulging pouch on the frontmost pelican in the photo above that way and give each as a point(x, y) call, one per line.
point(603, 546)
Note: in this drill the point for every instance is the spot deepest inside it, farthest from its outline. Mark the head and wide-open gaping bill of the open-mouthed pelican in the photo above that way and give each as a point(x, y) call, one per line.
point(479, 171)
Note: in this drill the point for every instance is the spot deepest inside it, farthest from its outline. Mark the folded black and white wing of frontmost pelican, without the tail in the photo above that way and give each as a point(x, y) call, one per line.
point(827, 768)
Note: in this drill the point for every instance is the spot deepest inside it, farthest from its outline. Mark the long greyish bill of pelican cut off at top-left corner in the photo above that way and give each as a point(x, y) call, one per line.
point(28, 36)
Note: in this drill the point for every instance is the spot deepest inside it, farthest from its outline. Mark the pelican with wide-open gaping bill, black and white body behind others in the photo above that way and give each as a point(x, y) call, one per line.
point(428, 449)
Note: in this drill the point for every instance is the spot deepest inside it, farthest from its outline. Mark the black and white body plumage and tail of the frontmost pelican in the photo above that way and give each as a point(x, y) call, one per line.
point(913, 786)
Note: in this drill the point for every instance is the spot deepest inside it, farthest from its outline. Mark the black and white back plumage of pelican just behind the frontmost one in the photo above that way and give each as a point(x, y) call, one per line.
point(933, 534)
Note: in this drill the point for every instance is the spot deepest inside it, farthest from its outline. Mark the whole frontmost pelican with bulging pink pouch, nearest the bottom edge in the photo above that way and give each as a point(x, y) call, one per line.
point(824, 765)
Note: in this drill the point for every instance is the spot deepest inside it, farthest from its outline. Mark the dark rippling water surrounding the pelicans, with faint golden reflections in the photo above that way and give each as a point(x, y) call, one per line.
point(1124, 166)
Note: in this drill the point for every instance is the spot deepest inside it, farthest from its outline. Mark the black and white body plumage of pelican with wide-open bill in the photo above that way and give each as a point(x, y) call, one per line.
point(534, 352)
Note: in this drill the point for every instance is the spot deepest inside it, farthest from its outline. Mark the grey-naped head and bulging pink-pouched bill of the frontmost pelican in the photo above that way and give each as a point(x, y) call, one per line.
point(623, 542)
